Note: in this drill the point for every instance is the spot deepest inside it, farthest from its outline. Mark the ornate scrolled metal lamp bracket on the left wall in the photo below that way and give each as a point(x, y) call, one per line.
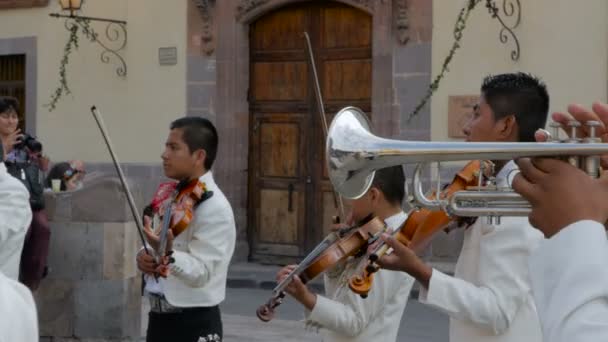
point(112, 43)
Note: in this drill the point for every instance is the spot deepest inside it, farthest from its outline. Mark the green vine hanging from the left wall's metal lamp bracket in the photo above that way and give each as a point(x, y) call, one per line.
point(74, 26)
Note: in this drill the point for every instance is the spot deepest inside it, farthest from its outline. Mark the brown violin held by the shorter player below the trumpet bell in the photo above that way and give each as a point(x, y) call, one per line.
point(331, 251)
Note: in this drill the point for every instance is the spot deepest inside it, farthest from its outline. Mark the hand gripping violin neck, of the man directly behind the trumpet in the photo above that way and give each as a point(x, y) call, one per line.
point(404, 259)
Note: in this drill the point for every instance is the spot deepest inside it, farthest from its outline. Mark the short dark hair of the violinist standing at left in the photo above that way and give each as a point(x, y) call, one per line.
point(199, 133)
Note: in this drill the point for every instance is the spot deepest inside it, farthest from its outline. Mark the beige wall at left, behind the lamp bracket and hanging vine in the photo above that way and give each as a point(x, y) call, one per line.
point(137, 109)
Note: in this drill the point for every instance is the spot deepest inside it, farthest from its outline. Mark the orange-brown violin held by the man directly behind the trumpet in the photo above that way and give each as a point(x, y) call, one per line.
point(421, 225)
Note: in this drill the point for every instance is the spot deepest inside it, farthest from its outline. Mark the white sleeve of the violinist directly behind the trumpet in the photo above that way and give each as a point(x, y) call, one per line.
point(503, 279)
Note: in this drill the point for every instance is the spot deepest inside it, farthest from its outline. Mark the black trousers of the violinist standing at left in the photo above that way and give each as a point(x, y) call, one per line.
point(190, 325)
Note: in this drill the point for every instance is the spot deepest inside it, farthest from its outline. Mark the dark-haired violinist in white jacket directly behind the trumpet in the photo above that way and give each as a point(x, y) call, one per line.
point(489, 298)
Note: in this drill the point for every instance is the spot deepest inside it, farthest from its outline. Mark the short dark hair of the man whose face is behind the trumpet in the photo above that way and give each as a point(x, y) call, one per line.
point(521, 95)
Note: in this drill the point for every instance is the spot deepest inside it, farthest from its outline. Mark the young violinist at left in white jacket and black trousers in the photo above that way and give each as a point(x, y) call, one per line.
point(184, 305)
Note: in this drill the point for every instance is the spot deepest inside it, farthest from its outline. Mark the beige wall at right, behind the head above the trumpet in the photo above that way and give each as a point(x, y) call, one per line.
point(562, 41)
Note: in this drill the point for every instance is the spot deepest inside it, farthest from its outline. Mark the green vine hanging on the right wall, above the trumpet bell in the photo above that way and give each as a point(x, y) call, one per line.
point(459, 27)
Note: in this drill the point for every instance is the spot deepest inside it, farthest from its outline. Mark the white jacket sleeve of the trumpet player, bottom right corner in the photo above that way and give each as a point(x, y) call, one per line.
point(570, 284)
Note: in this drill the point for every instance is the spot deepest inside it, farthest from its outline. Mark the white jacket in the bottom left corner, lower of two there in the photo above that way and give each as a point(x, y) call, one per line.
point(18, 311)
